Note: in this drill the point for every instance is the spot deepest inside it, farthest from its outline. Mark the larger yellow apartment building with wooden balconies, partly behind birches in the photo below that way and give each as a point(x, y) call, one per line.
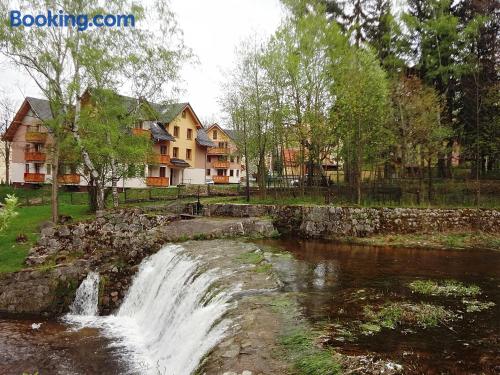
point(180, 146)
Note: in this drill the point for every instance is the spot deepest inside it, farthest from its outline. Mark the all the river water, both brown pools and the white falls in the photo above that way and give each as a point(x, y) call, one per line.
point(174, 311)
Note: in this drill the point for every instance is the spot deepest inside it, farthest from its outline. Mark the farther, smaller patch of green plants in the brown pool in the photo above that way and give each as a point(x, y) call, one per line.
point(446, 288)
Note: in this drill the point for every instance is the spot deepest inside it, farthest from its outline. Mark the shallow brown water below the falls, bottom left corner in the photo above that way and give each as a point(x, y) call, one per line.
point(53, 349)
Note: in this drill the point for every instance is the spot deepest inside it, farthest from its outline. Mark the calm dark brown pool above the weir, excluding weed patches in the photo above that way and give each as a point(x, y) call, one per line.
point(337, 280)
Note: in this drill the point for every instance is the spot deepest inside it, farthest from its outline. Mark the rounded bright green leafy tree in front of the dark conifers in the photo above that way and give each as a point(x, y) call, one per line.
point(361, 108)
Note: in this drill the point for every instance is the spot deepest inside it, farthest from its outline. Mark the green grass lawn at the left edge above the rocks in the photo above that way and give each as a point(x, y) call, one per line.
point(12, 254)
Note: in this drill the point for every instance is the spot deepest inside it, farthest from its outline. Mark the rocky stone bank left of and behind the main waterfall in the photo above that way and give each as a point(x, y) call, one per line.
point(114, 244)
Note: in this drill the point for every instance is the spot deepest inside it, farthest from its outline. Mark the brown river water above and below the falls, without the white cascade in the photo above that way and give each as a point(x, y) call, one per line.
point(333, 282)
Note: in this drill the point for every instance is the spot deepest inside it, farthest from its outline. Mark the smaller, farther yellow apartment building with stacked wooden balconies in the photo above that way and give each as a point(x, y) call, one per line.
point(224, 163)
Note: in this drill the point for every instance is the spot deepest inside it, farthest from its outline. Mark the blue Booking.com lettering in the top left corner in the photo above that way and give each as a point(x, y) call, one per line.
point(60, 19)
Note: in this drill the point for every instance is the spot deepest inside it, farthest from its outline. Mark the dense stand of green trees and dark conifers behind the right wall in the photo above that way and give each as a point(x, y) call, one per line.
point(355, 93)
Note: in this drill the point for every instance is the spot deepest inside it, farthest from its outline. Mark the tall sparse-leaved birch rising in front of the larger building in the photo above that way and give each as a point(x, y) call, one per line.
point(63, 61)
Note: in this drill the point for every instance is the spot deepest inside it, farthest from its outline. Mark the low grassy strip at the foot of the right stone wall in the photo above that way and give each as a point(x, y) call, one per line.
point(441, 240)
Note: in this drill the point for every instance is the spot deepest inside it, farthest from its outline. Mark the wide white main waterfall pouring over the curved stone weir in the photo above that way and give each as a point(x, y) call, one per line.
point(172, 315)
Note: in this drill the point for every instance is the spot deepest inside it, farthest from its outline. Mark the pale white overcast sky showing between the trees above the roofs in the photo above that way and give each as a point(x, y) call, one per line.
point(212, 29)
